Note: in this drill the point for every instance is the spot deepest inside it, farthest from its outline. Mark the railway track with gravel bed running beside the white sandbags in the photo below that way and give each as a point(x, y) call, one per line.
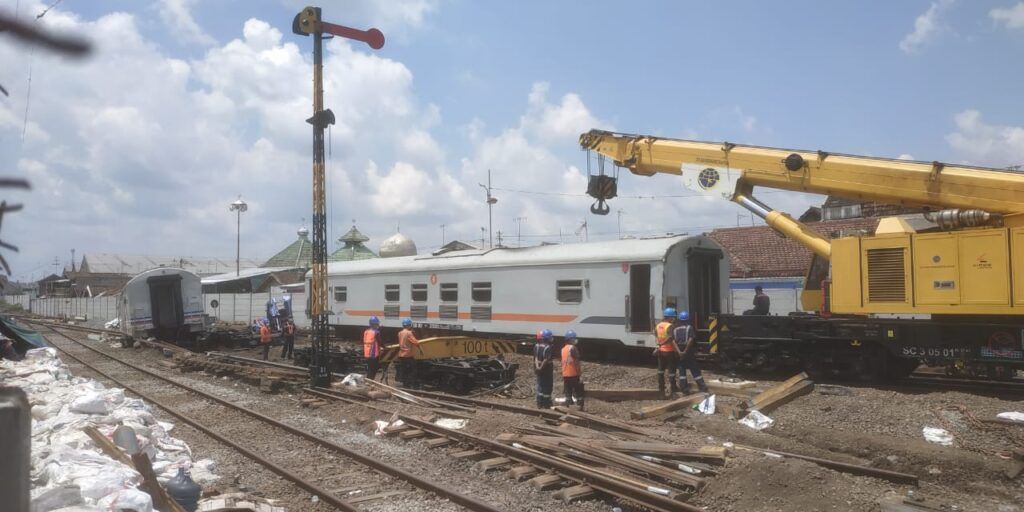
point(289, 455)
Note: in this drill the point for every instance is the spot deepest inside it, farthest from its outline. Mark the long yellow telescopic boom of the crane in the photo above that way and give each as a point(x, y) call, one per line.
point(884, 181)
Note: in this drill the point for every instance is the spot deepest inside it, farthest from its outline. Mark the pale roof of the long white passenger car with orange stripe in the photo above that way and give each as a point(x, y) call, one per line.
point(633, 250)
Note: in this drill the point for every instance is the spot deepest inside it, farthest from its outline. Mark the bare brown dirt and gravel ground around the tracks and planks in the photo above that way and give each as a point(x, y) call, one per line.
point(854, 424)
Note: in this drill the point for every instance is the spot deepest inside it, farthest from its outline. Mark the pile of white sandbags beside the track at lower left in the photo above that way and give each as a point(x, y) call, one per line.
point(68, 470)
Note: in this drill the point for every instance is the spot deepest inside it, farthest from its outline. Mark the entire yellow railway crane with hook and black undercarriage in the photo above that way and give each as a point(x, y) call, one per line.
point(962, 281)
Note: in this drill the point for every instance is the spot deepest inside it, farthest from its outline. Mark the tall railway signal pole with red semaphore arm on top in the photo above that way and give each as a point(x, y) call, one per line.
point(308, 23)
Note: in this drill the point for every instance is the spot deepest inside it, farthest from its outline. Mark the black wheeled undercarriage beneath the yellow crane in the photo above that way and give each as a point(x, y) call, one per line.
point(869, 349)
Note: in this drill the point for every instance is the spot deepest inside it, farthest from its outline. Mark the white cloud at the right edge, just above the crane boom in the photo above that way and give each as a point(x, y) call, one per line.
point(985, 144)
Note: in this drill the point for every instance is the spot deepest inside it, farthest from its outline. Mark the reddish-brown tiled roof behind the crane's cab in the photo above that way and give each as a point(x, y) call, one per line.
point(761, 252)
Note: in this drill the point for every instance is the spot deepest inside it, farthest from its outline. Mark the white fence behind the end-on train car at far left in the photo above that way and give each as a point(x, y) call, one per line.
point(232, 308)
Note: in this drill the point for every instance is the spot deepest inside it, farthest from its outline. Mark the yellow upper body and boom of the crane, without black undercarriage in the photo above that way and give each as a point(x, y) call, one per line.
point(974, 265)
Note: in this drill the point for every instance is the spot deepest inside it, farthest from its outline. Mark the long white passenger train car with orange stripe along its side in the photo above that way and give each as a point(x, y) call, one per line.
point(608, 292)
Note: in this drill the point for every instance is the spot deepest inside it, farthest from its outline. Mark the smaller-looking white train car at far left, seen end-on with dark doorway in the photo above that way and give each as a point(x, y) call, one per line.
point(163, 304)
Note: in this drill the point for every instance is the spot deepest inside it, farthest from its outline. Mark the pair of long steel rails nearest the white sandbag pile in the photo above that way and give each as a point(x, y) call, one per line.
point(465, 501)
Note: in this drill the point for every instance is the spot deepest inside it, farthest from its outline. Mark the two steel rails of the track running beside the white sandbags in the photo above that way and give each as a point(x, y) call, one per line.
point(436, 489)
